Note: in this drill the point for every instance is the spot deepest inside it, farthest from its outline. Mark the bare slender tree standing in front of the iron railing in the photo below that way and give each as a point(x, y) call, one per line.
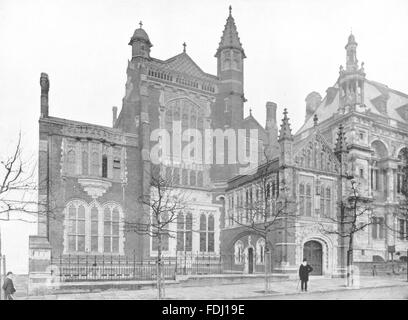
point(160, 211)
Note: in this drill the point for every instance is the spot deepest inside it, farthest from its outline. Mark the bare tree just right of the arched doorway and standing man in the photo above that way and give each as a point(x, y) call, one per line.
point(355, 215)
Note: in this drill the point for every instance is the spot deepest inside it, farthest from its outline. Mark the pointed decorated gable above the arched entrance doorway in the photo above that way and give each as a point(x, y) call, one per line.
point(314, 153)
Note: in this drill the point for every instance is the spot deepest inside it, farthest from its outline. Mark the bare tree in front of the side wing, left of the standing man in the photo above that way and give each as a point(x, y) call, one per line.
point(269, 210)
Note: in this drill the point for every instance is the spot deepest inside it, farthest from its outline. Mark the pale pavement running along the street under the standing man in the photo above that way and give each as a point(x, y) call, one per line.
point(288, 289)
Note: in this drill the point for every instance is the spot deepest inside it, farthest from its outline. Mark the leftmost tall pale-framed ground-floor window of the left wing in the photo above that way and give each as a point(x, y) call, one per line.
point(76, 229)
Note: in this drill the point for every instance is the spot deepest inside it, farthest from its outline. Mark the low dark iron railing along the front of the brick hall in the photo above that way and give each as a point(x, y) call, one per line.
point(71, 268)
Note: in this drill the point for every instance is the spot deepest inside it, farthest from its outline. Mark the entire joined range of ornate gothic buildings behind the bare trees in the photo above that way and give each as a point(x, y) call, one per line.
point(91, 177)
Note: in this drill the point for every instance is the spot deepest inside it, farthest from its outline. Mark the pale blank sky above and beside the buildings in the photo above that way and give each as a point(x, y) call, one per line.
point(293, 47)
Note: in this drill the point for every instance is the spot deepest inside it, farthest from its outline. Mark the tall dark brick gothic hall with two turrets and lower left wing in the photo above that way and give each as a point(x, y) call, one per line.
point(92, 177)
